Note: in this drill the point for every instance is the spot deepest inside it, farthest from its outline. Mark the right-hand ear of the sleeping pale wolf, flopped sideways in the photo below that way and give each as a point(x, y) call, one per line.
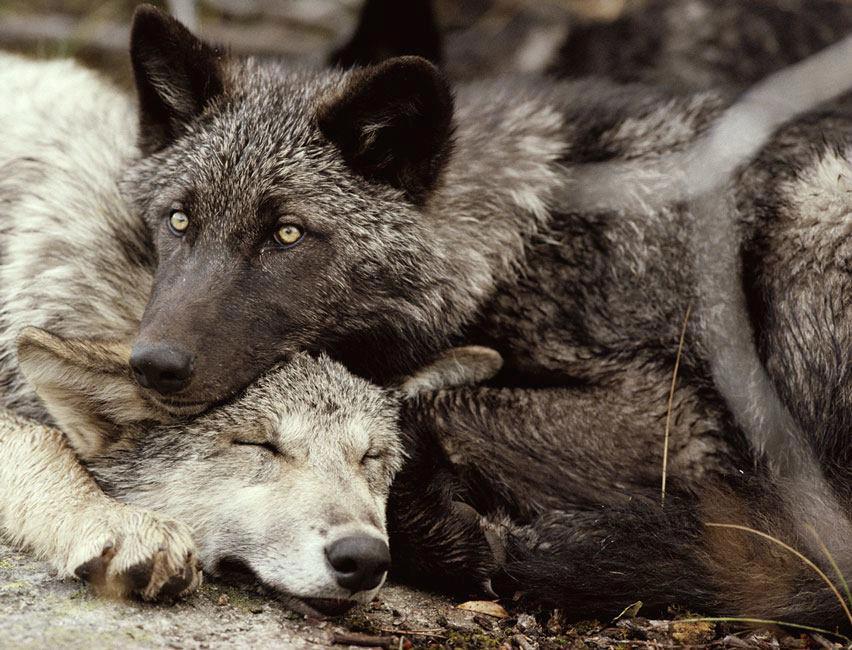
point(463, 366)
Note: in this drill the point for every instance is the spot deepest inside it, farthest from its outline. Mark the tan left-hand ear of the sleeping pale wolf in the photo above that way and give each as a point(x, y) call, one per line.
point(86, 386)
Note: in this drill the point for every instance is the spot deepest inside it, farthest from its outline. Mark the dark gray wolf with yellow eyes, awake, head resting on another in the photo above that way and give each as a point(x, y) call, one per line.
point(371, 214)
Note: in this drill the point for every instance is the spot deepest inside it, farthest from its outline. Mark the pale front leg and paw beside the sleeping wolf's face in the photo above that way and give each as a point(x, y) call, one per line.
point(50, 503)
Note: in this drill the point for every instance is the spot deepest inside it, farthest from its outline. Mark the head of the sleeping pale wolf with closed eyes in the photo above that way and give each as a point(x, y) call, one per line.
point(288, 483)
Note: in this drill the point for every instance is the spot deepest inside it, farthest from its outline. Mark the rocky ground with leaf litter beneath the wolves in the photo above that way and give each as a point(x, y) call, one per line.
point(39, 610)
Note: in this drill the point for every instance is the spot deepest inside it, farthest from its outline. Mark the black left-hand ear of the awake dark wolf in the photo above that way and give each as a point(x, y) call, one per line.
point(176, 74)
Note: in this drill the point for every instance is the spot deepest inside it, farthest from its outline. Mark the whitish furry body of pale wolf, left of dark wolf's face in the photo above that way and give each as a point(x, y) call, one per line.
point(66, 136)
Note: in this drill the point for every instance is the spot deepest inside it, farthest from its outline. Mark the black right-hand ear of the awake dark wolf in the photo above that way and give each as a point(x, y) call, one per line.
point(393, 123)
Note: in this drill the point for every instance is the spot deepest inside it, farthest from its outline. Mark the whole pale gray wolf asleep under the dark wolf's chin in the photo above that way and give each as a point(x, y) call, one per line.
point(289, 480)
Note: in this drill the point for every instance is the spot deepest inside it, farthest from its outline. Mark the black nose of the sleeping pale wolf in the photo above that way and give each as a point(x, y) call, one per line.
point(359, 563)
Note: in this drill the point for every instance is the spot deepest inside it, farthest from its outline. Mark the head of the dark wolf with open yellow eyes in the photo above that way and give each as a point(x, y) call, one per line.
point(286, 211)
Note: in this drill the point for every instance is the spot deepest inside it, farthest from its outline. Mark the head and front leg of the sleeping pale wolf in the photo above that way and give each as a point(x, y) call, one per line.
point(287, 484)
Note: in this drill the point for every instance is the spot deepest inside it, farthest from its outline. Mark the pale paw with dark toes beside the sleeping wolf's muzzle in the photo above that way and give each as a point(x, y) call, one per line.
point(141, 554)
